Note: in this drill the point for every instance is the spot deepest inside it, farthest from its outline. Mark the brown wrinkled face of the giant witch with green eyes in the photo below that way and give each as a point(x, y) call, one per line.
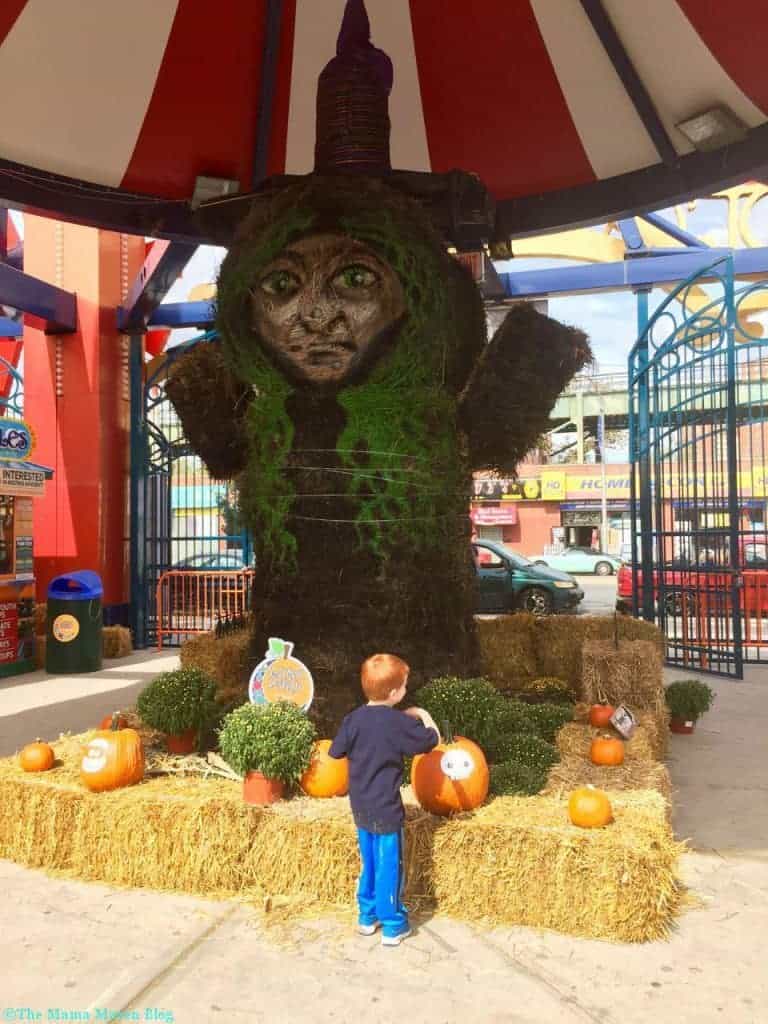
point(324, 308)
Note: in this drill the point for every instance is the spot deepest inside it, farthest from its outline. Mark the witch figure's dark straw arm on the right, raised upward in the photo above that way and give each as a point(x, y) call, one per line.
point(506, 405)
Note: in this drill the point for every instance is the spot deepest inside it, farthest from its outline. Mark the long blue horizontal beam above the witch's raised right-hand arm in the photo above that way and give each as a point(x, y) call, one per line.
point(627, 275)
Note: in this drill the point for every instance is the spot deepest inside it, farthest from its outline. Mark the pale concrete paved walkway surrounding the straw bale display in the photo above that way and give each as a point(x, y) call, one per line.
point(82, 952)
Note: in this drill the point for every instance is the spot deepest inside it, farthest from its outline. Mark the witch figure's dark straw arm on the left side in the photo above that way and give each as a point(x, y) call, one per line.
point(211, 404)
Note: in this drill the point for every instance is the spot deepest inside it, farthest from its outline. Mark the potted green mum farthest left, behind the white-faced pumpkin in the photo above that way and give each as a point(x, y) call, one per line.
point(181, 704)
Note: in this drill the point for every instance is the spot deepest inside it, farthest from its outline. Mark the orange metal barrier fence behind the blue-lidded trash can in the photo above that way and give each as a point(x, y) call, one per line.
point(194, 603)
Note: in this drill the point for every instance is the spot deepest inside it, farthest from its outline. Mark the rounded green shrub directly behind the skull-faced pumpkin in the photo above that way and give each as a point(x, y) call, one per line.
point(474, 708)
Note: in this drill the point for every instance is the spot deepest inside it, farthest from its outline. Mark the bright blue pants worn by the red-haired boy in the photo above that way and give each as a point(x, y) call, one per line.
point(382, 881)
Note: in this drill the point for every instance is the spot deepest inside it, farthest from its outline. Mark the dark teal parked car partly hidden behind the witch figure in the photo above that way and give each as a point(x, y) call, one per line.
point(508, 582)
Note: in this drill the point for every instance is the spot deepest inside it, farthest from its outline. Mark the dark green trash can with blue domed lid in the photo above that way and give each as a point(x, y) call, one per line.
point(73, 639)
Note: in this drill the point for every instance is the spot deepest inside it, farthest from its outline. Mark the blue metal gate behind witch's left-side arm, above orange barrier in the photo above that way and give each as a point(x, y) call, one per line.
point(182, 519)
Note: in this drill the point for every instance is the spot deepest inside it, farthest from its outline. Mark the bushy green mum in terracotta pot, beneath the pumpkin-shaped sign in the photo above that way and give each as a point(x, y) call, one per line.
point(270, 745)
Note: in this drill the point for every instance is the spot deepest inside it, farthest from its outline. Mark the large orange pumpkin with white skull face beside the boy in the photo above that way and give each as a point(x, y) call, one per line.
point(452, 778)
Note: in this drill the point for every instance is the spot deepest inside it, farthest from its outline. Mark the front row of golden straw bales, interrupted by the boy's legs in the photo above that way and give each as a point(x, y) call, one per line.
point(517, 861)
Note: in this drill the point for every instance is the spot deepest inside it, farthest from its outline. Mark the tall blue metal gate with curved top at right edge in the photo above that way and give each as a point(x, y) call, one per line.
point(699, 442)
